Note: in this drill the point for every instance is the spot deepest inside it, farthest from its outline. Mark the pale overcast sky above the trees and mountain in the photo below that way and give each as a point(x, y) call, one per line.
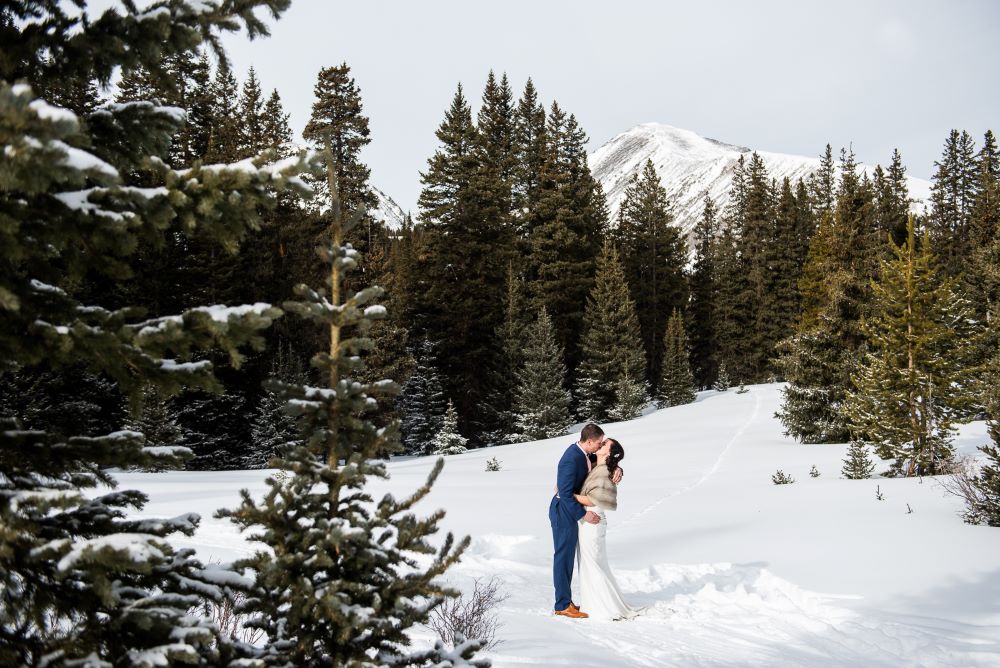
point(786, 76)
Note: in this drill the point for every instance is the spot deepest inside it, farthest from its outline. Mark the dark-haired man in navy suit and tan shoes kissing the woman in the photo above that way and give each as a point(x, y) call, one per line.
point(565, 512)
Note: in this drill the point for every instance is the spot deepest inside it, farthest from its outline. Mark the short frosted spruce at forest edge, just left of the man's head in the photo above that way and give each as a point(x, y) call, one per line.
point(541, 402)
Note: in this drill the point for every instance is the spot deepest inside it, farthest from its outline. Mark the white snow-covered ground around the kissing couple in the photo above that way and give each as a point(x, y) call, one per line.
point(732, 569)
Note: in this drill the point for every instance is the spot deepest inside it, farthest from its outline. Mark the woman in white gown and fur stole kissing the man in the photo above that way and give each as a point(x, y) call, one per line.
point(599, 592)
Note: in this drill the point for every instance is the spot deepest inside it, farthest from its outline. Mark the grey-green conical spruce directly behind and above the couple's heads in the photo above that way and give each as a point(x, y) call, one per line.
point(611, 343)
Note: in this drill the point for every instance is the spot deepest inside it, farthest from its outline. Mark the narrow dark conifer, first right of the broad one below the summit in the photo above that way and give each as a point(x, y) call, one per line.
point(702, 326)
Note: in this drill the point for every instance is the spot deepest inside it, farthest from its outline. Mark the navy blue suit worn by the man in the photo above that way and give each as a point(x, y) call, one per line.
point(564, 513)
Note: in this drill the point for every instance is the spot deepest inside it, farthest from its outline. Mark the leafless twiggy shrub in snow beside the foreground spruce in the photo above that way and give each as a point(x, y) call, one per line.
point(472, 615)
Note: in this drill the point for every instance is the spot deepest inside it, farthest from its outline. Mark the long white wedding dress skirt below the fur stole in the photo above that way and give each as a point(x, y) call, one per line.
point(600, 596)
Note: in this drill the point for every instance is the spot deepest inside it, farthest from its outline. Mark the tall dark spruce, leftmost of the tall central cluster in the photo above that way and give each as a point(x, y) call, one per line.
point(461, 306)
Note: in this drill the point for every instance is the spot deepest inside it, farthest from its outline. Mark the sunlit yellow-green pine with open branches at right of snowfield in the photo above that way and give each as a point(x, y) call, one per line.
point(913, 384)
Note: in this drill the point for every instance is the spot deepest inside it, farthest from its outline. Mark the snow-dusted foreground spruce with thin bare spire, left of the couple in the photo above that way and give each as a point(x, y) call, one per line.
point(339, 583)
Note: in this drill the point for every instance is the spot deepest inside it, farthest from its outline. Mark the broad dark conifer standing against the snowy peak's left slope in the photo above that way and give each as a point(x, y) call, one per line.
point(654, 255)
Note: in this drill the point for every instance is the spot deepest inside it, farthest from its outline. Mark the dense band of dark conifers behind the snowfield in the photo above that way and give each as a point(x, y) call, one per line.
point(516, 298)
